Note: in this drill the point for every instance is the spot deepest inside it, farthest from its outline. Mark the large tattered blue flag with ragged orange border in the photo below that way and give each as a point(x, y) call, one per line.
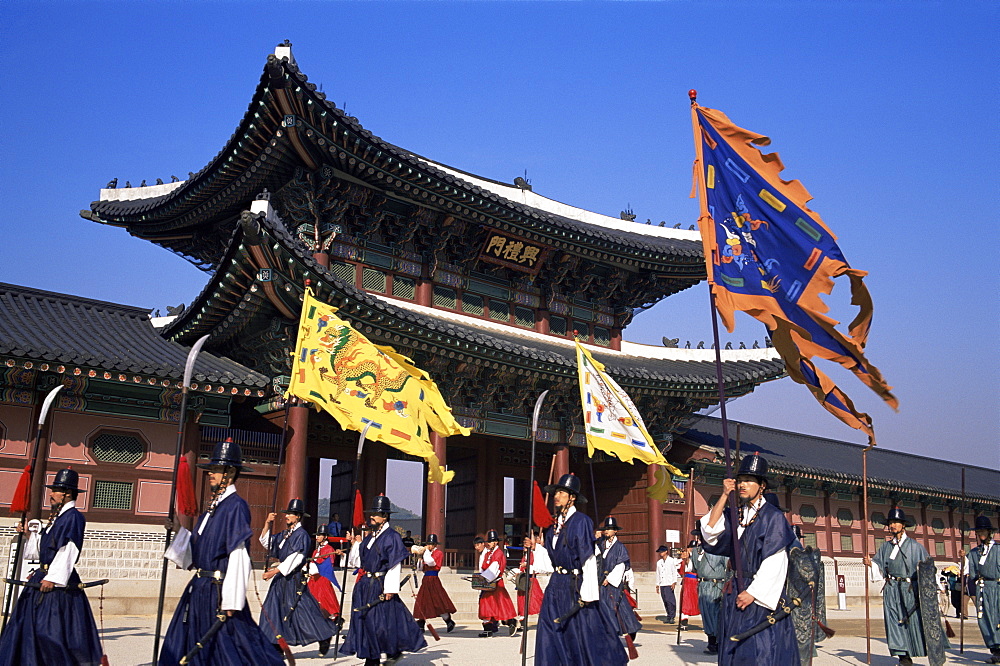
point(769, 255)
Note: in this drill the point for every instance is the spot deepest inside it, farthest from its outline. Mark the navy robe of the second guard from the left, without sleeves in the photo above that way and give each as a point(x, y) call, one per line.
point(240, 641)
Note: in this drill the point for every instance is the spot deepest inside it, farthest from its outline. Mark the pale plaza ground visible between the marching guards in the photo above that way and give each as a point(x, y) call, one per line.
point(128, 639)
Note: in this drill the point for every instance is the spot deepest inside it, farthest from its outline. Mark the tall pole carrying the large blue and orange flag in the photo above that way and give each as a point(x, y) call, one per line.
point(703, 219)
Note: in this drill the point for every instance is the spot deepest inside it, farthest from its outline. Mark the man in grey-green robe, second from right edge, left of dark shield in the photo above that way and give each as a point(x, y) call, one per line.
point(896, 562)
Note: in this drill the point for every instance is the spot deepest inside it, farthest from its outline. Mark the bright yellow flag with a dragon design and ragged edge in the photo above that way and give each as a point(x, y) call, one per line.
point(341, 371)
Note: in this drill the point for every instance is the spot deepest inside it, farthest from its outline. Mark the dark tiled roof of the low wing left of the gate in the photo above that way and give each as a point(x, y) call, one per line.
point(43, 326)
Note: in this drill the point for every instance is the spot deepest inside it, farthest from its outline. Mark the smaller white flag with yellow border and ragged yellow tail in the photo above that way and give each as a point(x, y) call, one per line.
point(612, 424)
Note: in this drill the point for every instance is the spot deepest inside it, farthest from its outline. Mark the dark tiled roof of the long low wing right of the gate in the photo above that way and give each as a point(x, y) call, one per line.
point(798, 453)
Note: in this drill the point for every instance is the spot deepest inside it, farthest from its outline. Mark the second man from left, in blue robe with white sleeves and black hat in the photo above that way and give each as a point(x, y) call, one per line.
point(218, 551)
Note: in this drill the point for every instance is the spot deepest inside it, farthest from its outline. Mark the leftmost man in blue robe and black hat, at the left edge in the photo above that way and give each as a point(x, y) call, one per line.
point(54, 626)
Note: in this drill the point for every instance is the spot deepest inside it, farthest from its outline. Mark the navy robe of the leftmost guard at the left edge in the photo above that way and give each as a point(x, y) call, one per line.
point(54, 627)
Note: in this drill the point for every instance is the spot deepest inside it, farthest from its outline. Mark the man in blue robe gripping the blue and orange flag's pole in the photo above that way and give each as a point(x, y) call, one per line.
point(764, 540)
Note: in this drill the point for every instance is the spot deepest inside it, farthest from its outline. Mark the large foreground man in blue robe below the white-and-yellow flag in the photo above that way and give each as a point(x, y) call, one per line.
point(588, 636)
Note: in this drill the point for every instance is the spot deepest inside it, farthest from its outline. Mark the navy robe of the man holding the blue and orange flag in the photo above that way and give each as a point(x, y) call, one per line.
point(768, 534)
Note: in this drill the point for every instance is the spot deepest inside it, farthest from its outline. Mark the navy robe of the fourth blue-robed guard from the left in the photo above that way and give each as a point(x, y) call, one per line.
point(387, 627)
